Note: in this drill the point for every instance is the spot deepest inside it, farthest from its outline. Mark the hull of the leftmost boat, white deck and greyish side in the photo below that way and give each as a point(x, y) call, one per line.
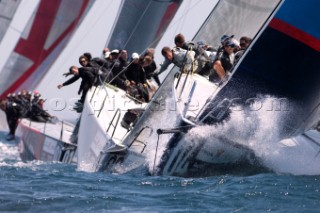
point(46, 141)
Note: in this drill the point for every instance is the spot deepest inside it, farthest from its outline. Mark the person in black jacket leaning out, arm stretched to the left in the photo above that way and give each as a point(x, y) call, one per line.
point(87, 76)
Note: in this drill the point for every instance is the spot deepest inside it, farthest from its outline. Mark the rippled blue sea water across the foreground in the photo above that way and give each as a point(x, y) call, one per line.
point(57, 187)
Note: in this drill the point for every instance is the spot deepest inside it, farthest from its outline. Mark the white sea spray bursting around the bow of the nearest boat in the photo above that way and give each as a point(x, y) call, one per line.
point(247, 135)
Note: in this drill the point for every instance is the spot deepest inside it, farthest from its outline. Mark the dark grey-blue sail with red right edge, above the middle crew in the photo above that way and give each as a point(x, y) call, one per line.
point(141, 24)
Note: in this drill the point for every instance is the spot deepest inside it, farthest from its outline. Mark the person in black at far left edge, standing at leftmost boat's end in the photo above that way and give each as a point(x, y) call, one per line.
point(13, 113)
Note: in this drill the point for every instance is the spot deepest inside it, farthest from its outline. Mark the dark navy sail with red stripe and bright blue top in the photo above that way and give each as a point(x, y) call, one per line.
point(282, 62)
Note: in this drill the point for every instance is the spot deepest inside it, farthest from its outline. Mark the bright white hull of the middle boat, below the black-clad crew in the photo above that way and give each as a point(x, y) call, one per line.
point(100, 127)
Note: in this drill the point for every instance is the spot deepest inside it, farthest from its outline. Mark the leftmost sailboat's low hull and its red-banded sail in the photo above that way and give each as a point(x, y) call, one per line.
point(41, 41)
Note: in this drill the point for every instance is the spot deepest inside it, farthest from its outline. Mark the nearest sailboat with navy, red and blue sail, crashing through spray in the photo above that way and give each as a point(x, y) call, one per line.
point(186, 132)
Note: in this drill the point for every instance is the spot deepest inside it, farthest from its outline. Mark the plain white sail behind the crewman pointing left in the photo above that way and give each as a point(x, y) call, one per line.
point(90, 37)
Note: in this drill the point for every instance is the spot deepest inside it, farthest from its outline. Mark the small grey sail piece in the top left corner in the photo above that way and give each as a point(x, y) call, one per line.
point(7, 11)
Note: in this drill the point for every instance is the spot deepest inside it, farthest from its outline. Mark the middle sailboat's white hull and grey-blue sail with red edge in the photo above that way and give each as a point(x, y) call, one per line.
point(140, 25)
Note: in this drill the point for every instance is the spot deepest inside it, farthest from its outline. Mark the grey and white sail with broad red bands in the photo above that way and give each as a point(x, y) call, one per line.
point(41, 42)
